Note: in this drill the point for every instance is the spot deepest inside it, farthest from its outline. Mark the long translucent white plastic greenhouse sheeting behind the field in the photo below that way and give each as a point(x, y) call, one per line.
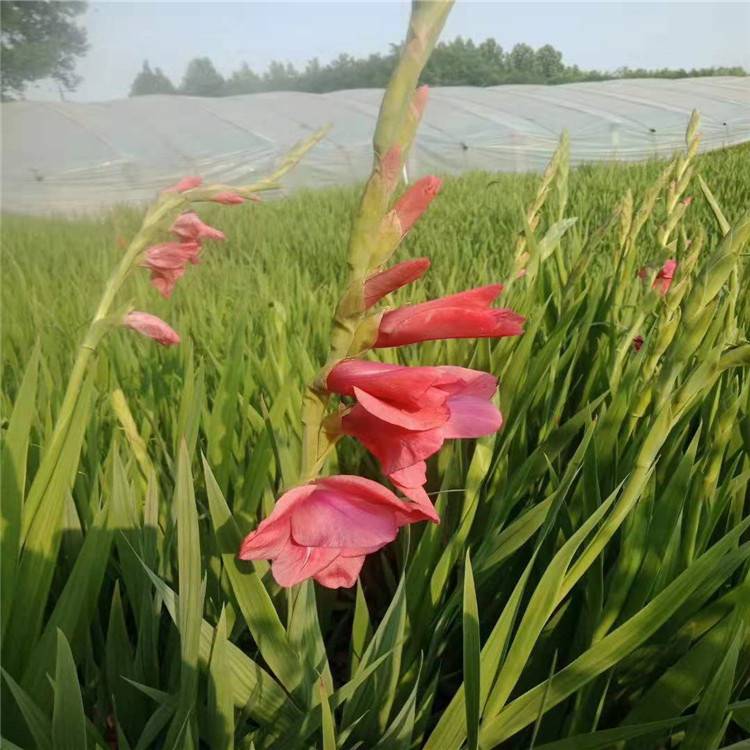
point(64, 156)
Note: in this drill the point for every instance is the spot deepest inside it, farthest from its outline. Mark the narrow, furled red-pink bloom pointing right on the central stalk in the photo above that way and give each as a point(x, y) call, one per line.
point(459, 316)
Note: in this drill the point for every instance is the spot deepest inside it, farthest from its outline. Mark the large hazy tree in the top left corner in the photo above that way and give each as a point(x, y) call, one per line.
point(40, 40)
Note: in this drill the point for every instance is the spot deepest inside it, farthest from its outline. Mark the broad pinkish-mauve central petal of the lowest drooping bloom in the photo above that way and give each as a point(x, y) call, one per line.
point(332, 519)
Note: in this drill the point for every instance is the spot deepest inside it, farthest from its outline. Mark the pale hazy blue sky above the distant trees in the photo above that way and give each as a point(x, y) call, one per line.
point(604, 35)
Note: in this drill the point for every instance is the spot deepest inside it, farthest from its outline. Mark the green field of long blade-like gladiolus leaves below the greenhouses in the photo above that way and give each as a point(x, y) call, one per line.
point(606, 524)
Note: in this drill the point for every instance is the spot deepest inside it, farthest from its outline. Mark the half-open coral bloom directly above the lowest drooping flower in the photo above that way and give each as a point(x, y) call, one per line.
point(403, 415)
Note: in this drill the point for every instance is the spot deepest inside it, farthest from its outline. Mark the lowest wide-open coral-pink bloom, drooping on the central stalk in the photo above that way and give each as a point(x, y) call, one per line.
point(324, 530)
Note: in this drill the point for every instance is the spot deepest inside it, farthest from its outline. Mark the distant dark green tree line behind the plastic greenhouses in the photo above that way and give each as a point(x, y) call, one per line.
point(459, 62)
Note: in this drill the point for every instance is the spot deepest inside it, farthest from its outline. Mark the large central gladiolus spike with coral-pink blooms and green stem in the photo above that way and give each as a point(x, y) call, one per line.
point(324, 528)
